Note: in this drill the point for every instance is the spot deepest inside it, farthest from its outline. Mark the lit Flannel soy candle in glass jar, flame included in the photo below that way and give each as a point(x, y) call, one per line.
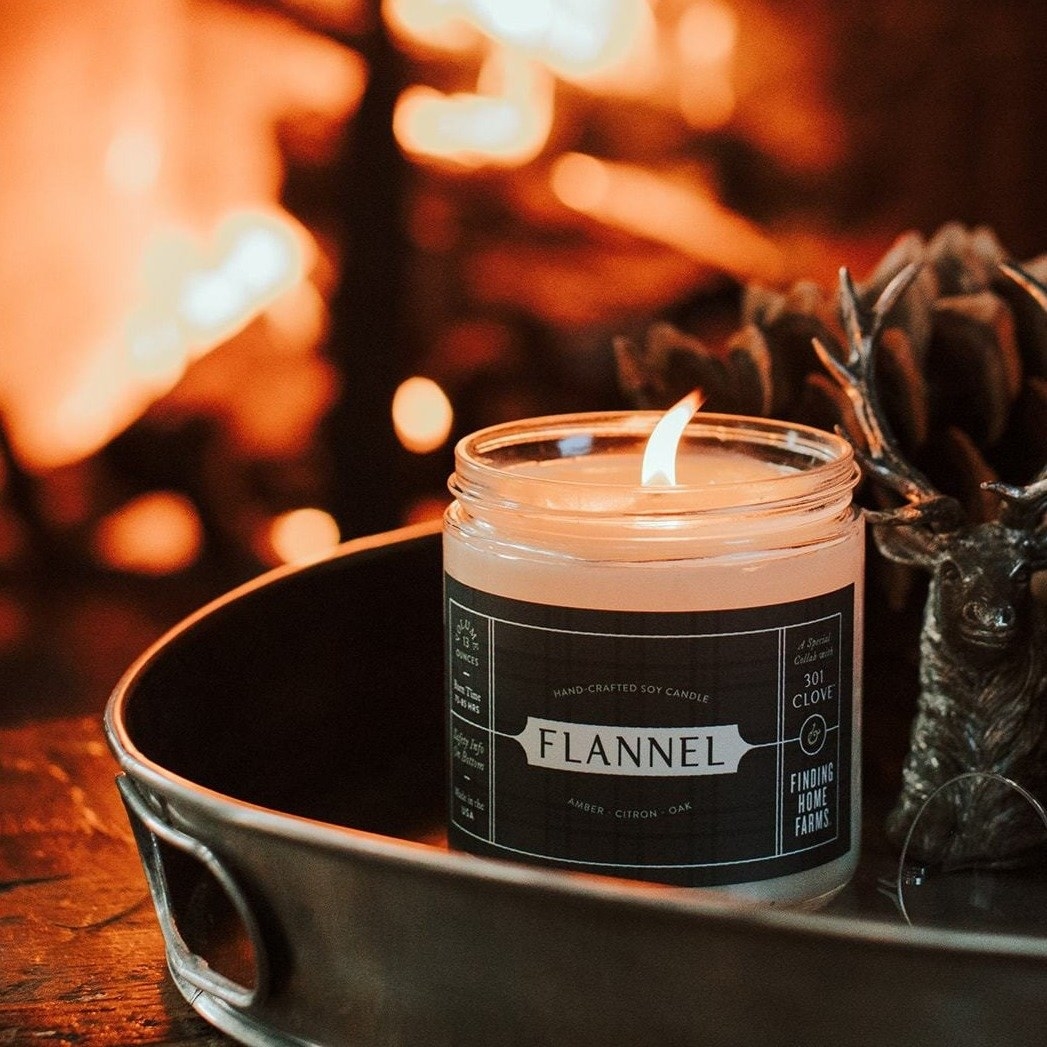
point(654, 667)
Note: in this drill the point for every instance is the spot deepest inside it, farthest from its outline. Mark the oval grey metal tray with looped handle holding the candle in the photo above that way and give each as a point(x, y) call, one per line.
point(283, 769)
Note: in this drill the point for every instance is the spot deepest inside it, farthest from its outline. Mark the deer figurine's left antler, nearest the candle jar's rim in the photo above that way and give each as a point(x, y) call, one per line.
point(857, 380)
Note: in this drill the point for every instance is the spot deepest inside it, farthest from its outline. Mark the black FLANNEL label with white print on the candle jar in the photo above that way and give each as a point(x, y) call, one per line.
point(699, 749)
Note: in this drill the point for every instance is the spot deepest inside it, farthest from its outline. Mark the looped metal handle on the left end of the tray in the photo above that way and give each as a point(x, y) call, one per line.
point(150, 830)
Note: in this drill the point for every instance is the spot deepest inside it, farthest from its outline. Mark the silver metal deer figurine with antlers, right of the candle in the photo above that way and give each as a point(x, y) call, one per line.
point(983, 705)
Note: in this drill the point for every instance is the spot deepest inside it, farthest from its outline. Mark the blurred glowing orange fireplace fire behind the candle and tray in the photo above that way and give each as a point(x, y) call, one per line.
point(263, 263)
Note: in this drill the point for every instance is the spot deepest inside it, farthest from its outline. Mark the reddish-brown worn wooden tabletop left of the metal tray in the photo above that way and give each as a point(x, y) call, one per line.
point(81, 954)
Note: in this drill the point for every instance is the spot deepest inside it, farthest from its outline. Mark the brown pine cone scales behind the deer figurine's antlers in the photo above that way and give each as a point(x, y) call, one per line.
point(962, 367)
